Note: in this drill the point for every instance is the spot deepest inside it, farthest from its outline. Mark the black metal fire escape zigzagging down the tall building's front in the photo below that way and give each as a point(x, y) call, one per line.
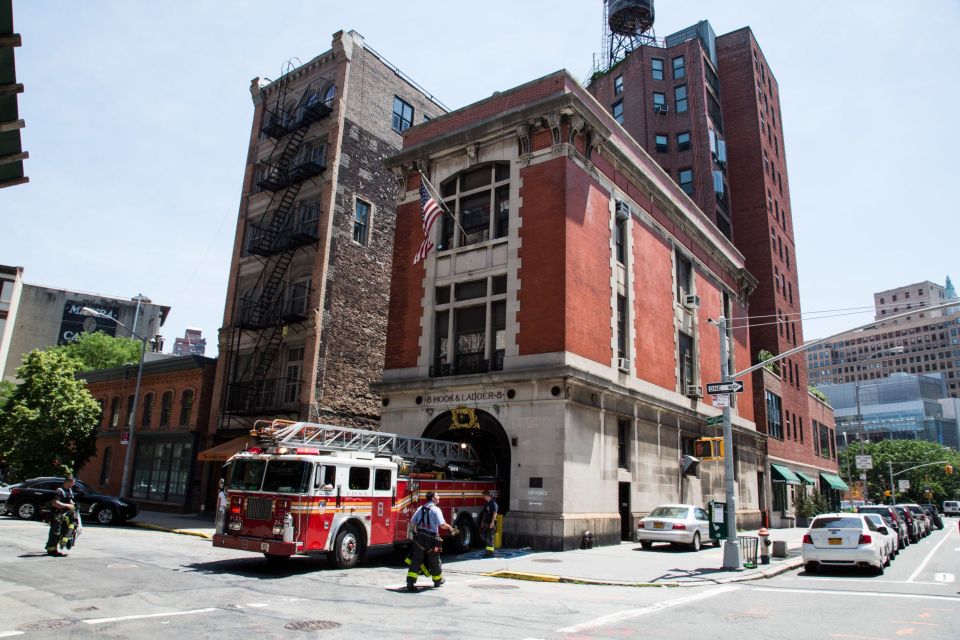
point(273, 306)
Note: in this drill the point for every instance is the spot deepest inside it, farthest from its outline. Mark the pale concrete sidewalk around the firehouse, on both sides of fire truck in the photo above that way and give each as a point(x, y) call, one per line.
point(625, 564)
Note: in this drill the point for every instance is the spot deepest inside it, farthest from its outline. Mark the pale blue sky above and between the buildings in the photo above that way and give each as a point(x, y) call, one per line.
point(138, 115)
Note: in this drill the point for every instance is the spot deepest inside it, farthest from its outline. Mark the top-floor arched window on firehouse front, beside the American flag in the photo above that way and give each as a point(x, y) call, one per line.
point(480, 199)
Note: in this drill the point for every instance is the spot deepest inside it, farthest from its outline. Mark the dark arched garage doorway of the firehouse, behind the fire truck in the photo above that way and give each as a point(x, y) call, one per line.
point(488, 438)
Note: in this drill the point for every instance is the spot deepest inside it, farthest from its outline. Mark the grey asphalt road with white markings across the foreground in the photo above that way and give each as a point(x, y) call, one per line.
point(130, 583)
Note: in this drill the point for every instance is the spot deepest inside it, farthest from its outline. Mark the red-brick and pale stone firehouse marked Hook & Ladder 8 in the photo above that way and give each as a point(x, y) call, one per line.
point(561, 325)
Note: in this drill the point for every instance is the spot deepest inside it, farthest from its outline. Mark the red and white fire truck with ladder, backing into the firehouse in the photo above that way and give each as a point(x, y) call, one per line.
point(307, 489)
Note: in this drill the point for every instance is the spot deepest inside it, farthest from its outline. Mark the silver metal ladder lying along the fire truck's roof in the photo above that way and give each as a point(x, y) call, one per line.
point(325, 437)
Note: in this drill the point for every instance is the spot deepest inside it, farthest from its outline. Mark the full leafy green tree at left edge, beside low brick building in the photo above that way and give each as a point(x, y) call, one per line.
point(49, 425)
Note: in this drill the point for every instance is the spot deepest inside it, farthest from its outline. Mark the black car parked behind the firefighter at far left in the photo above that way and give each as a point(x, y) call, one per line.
point(31, 500)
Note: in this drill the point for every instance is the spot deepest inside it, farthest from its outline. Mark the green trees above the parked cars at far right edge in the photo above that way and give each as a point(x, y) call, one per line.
point(905, 454)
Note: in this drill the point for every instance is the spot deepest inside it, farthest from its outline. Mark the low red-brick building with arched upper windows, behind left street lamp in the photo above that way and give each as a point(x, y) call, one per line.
point(172, 424)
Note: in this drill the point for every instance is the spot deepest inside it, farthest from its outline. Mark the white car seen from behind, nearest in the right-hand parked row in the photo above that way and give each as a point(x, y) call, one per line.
point(844, 540)
